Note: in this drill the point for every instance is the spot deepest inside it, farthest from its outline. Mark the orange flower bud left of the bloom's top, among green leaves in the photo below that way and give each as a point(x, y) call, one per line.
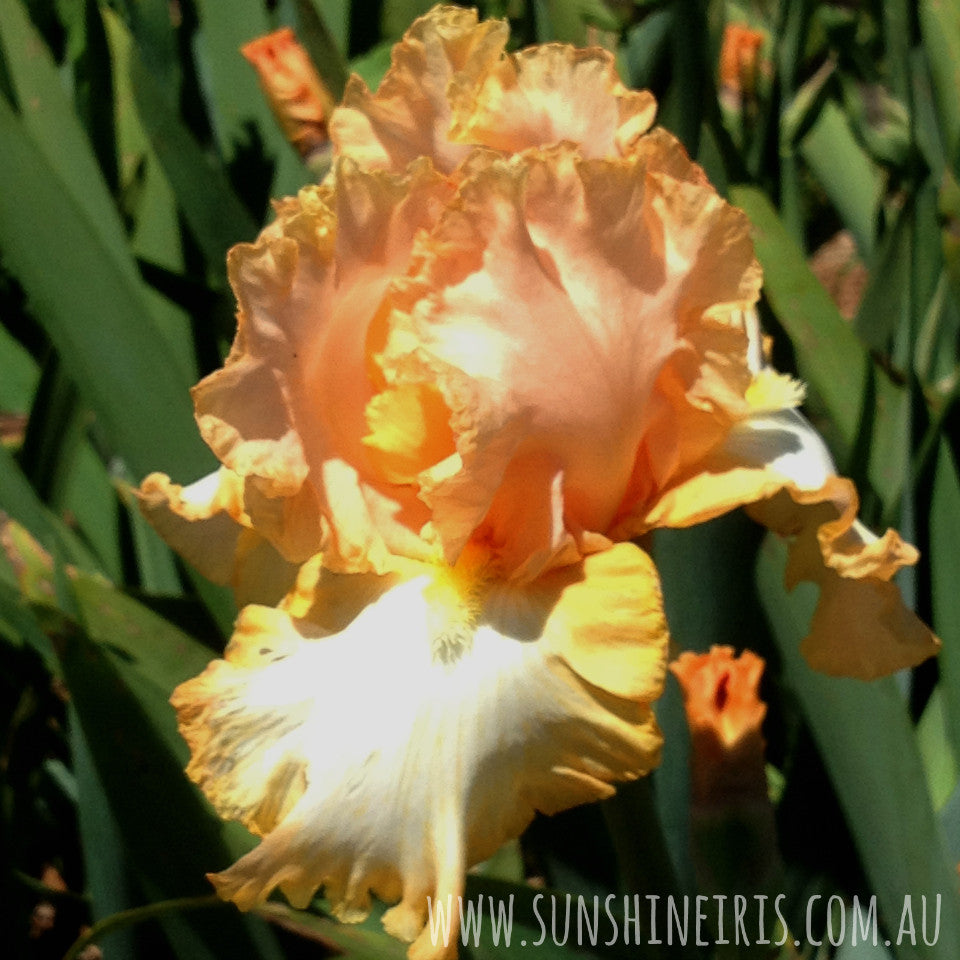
point(299, 100)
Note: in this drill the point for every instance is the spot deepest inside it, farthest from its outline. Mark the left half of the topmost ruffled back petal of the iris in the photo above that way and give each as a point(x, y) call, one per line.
point(409, 116)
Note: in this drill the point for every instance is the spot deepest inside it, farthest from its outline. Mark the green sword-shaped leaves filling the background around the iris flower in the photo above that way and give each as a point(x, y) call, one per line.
point(136, 148)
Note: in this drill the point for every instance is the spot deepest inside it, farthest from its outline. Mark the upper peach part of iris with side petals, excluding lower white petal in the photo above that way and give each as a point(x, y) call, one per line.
point(518, 317)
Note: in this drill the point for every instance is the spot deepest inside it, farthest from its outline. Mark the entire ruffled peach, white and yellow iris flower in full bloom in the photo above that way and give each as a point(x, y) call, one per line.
point(510, 333)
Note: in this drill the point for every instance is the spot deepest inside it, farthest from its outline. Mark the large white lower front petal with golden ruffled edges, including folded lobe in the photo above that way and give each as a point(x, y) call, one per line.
point(385, 733)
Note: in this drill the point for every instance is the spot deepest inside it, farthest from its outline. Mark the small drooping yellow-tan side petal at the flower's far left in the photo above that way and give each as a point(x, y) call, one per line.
point(207, 525)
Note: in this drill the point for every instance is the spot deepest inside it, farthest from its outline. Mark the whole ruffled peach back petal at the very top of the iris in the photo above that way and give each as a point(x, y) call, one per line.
point(450, 87)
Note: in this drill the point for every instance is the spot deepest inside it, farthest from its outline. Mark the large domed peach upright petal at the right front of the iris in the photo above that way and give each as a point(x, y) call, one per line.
point(629, 269)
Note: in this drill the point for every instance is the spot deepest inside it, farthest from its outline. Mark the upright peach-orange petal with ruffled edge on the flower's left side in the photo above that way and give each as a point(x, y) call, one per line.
point(287, 411)
